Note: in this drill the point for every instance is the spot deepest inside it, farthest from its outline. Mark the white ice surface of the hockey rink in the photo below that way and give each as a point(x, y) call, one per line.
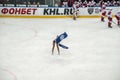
point(25, 50)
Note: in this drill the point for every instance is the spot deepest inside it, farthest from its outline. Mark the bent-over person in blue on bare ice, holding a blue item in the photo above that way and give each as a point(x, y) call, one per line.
point(57, 42)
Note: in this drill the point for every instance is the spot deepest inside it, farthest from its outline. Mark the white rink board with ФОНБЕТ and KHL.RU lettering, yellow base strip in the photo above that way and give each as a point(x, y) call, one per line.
point(52, 12)
